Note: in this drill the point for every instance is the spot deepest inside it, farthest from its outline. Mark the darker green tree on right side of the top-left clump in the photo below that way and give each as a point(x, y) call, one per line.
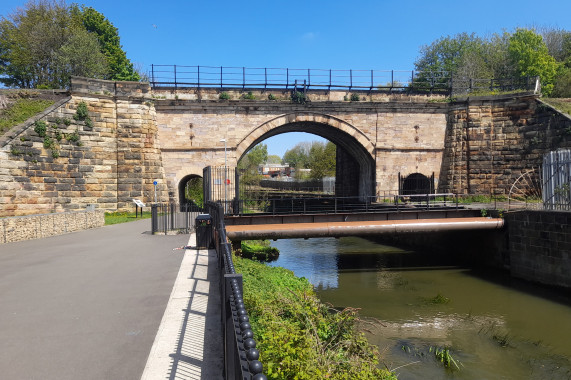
point(120, 68)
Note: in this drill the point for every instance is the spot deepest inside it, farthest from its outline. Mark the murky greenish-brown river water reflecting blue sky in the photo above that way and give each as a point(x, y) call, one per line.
point(496, 327)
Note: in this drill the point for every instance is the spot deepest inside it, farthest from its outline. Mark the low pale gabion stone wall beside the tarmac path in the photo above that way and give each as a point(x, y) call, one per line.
point(29, 227)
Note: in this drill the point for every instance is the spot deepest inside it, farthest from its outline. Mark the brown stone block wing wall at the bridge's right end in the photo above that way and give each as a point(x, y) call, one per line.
point(491, 141)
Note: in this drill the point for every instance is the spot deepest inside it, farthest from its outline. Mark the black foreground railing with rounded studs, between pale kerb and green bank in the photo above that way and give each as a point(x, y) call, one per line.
point(240, 353)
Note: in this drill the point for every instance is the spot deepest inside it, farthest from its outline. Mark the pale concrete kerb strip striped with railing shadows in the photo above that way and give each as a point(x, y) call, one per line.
point(188, 344)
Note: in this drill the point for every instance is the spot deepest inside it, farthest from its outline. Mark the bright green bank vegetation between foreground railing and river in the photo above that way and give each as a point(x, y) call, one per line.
point(298, 336)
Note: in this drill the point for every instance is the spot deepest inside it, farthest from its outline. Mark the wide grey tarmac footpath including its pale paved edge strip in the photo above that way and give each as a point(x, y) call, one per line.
point(88, 305)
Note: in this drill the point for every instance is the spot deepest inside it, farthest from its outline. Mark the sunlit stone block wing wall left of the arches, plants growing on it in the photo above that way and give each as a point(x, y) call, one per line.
point(106, 159)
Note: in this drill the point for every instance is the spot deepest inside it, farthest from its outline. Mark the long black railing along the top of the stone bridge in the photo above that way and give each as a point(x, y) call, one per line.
point(328, 79)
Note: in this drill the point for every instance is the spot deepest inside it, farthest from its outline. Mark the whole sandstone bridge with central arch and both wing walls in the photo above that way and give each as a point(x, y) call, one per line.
point(136, 136)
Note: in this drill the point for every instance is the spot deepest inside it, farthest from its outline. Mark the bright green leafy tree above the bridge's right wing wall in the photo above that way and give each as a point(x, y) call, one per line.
point(530, 57)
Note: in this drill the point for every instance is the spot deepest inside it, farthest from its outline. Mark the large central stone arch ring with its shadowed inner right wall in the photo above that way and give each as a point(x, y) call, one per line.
point(355, 165)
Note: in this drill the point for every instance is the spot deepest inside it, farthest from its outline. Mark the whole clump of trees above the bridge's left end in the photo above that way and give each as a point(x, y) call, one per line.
point(47, 41)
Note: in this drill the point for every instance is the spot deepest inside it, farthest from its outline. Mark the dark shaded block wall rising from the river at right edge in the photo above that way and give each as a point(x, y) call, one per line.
point(540, 246)
